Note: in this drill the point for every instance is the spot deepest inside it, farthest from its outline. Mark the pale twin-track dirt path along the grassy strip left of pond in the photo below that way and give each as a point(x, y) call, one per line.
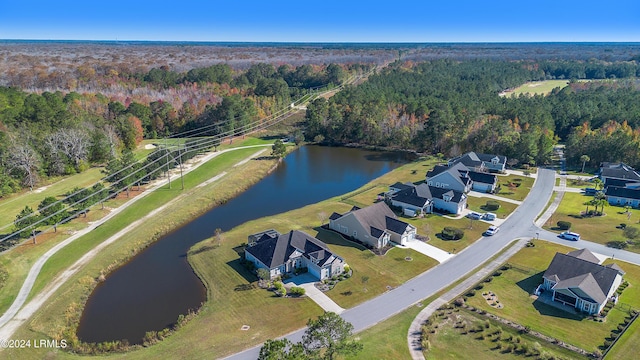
point(16, 315)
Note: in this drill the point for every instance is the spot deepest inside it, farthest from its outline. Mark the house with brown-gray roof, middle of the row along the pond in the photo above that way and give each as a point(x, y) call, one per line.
point(375, 225)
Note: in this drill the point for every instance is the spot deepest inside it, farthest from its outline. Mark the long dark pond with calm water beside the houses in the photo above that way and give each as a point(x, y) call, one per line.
point(155, 287)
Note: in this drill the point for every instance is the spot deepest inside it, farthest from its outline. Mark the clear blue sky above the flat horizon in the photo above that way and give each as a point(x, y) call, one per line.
point(323, 20)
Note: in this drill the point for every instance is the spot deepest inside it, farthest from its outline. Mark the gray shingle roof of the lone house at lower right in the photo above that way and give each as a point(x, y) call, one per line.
point(570, 271)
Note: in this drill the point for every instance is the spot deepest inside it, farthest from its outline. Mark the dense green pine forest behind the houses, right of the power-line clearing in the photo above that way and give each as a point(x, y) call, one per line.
point(450, 107)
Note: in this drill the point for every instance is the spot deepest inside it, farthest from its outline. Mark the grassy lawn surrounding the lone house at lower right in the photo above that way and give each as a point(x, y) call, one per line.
point(514, 287)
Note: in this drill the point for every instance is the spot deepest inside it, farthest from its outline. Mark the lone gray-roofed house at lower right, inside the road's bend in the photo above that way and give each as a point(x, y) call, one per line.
point(577, 279)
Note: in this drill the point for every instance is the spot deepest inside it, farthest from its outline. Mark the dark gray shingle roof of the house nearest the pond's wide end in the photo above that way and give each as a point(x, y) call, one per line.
point(274, 252)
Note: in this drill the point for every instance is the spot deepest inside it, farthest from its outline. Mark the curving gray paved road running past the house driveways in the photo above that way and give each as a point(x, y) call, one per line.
point(519, 224)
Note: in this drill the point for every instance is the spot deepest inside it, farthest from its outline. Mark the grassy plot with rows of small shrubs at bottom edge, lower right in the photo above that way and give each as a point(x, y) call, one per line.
point(451, 341)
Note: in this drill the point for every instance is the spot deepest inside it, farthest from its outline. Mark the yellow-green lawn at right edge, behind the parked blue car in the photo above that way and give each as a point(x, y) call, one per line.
point(600, 229)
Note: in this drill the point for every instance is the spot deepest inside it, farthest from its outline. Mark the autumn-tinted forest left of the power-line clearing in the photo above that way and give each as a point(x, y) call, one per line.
point(48, 134)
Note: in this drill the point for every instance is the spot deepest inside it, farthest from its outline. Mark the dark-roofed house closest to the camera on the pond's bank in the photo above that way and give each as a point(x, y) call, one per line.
point(283, 253)
